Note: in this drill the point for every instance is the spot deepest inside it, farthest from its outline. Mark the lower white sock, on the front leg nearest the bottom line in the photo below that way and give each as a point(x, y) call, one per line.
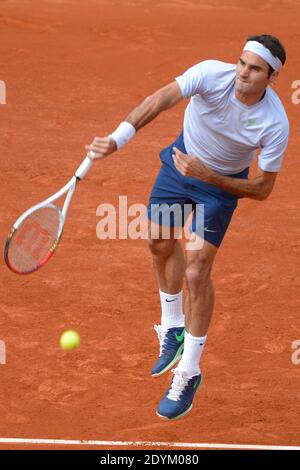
point(193, 348)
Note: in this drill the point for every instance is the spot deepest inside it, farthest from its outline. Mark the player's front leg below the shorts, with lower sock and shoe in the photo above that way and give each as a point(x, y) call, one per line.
point(199, 308)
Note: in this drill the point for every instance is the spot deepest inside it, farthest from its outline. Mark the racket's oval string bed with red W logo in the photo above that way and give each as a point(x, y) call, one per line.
point(35, 240)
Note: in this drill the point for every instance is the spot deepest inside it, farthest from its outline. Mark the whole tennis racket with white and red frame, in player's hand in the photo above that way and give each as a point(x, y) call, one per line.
point(36, 234)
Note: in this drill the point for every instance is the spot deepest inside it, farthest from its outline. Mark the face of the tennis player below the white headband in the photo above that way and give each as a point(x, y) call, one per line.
point(251, 74)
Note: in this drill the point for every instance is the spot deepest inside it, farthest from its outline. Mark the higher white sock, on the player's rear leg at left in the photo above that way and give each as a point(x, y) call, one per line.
point(171, 310)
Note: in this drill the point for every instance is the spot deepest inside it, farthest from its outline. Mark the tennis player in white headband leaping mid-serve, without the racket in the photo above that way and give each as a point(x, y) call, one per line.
point(232, 112)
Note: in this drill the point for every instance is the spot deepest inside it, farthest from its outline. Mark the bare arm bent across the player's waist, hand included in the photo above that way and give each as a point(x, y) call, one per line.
point(257, 188)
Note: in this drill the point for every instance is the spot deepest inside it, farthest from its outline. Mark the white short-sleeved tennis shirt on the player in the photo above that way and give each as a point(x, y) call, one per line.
point(222, 131)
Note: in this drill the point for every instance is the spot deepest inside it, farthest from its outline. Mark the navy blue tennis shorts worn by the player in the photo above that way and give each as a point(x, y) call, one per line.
point(212, 207)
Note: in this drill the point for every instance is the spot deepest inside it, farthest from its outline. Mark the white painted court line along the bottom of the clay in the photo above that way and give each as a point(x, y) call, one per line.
point(189, 445)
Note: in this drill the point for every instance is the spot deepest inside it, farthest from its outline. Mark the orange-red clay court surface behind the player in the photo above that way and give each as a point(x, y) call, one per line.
point(74, 69)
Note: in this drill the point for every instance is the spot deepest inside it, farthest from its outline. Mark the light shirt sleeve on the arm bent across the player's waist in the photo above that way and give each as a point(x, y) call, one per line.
point(273, 148)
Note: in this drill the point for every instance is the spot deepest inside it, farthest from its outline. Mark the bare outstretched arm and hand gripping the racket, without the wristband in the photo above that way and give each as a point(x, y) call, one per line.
point(149, 109)
